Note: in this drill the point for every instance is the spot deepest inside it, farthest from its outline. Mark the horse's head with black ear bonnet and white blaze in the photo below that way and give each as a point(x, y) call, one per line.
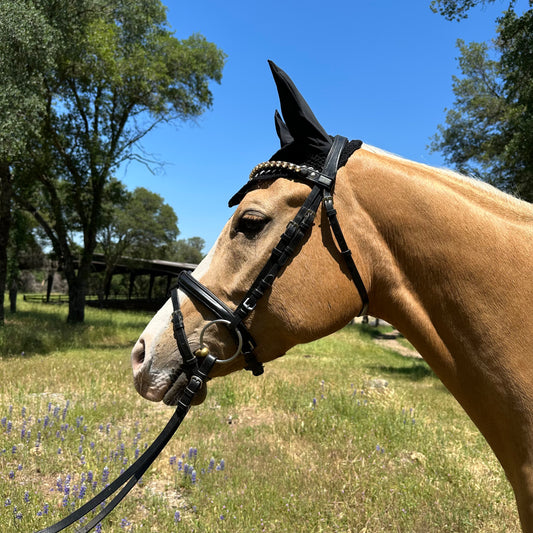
point(309, 294)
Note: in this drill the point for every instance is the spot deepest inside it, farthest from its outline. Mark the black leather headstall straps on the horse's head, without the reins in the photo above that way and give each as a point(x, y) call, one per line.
point(322, 185)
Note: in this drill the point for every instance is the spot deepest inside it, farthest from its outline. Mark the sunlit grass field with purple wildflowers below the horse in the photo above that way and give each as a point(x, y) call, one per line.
point(317, 444)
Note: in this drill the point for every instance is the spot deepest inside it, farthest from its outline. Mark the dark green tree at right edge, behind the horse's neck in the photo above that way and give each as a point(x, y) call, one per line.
point(489, 132)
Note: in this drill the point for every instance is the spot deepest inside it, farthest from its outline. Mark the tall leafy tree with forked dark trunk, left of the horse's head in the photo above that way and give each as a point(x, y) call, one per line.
point(118, 73)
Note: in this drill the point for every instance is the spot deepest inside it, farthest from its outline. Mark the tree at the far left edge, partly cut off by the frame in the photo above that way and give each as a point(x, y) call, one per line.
point(27, 49)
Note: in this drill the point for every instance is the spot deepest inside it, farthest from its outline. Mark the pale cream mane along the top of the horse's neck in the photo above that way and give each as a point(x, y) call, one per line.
point(486, 195)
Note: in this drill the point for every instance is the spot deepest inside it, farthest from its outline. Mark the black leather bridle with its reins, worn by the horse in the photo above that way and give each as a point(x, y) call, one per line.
point(199, 364)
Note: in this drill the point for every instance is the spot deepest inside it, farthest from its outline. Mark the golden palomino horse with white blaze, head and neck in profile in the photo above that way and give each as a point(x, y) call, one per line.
point(445, 259)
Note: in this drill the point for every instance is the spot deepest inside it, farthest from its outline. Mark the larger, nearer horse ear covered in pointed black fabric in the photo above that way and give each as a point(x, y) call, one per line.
point(302, 124)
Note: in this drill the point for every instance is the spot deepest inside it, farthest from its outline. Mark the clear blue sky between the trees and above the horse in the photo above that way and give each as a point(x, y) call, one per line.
point(379, 71)
